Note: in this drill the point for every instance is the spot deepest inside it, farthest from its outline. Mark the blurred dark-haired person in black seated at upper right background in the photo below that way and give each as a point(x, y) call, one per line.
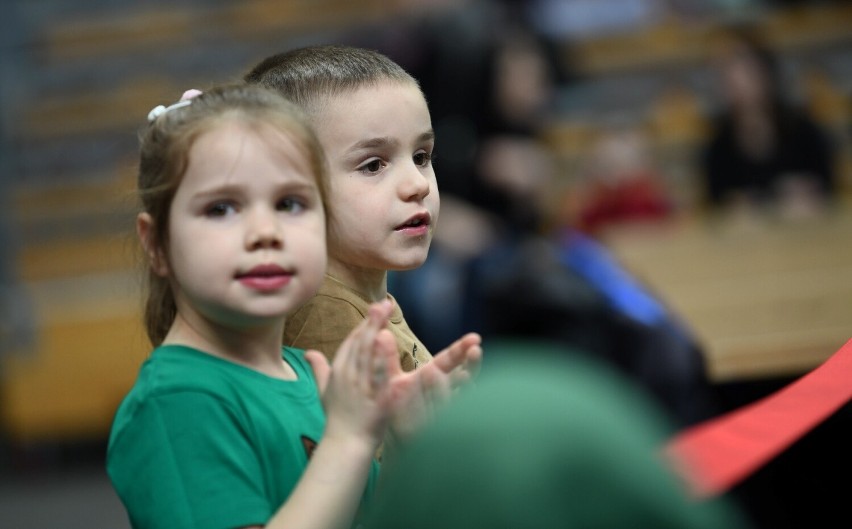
point(763, 151)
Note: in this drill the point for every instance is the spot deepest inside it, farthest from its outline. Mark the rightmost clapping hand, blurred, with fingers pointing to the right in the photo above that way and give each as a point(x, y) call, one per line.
point(416, 394)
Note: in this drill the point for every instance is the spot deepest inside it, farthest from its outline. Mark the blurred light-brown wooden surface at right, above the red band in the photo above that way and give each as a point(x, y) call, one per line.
point(766, 299)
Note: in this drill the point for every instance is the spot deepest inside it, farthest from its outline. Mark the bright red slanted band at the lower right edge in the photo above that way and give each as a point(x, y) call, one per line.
point(717, 454)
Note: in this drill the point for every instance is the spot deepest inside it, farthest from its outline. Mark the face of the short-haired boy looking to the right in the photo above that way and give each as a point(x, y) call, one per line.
point(383, 198)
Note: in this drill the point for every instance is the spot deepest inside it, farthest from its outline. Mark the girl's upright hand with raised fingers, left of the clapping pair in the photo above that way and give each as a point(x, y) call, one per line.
point(355, 388)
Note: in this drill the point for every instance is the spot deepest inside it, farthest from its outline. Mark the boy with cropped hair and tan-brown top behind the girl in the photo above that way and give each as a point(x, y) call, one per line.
point(373, 122)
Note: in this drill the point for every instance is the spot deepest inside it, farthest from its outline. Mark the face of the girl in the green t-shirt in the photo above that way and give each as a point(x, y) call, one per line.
point(247, 229)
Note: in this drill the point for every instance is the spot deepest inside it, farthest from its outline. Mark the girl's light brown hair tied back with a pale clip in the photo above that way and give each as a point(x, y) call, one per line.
point(164, 157)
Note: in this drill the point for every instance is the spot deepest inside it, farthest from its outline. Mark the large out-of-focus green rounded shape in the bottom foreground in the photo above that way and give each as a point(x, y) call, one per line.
point(545, 439)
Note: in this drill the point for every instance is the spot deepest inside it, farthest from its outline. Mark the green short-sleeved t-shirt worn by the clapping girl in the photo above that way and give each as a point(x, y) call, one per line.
point(201, 442)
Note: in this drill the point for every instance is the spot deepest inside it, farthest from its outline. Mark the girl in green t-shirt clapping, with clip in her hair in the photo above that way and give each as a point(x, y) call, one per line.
point(223, 429)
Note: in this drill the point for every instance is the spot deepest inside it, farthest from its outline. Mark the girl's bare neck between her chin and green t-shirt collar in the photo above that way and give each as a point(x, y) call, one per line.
point(257, 348)
